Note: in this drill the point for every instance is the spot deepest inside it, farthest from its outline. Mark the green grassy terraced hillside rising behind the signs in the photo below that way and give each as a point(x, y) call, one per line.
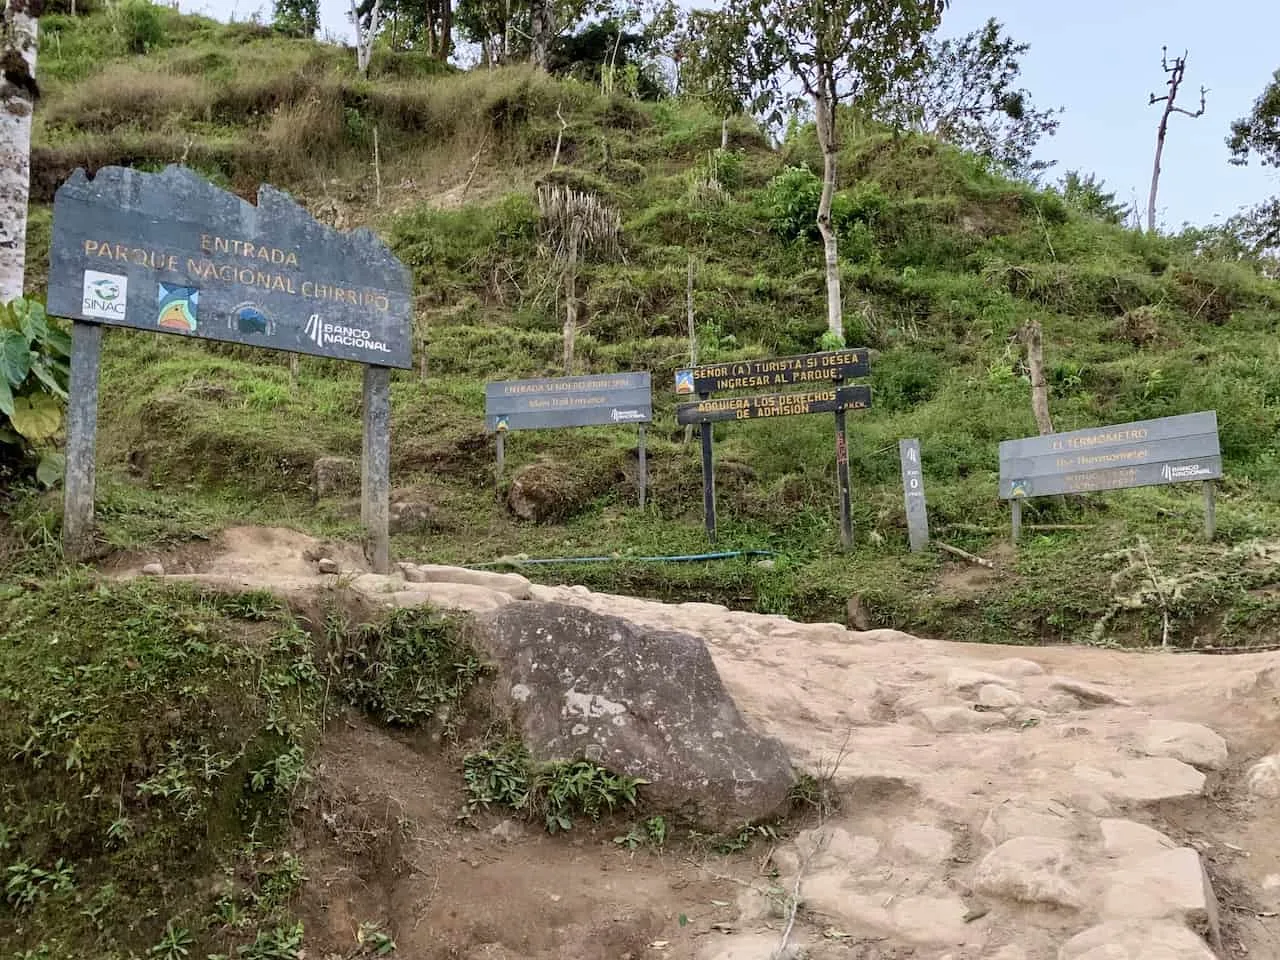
point(944, 262)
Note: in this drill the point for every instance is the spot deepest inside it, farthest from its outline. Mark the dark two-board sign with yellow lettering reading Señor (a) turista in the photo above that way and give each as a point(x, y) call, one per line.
point(824, 374)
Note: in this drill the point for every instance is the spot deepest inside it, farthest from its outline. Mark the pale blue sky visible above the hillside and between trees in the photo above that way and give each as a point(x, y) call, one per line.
point(1103, 77)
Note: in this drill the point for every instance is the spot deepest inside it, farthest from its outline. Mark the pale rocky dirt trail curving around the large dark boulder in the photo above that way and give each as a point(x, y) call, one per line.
point(998, 803)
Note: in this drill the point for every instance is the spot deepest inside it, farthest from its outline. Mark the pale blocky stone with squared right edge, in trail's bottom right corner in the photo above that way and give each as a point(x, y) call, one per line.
point(1172, 884)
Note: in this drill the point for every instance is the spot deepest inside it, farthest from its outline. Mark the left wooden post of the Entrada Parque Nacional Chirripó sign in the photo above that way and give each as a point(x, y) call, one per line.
point(81, 441)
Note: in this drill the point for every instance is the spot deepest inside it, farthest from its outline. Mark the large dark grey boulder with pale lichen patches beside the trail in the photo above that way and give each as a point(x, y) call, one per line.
point(642, 702)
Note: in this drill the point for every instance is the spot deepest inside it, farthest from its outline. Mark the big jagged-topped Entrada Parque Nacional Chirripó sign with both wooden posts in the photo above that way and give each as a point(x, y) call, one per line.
point(170, 253)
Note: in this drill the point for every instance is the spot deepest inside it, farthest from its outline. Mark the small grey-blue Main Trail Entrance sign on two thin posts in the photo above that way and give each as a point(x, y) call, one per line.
point(598, 400)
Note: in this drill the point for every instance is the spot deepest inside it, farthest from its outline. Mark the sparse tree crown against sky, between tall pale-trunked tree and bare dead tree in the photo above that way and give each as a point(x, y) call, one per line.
point(967, 94)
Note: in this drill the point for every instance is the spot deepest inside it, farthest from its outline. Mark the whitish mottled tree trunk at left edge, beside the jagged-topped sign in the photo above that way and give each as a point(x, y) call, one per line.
point(16, 108)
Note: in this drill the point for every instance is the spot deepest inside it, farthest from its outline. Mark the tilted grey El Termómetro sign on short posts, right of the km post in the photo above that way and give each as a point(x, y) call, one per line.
point(1144, 454)
